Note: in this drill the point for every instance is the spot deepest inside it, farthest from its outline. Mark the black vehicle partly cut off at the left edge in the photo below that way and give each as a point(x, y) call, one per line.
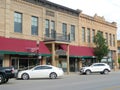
point(6, 73)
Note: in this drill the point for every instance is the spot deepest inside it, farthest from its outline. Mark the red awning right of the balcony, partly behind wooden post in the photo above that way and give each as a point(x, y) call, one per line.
point(79, 50)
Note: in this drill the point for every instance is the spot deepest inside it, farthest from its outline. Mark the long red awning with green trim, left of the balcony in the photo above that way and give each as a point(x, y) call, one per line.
point(21, 47)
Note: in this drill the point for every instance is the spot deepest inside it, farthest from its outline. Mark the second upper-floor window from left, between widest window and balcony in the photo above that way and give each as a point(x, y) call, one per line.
point(34, 26)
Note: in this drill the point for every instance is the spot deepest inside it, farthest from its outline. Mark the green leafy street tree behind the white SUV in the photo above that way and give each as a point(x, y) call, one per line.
point(101, 48)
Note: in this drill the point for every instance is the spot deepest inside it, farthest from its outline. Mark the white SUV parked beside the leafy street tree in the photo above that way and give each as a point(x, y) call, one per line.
point(101, 68)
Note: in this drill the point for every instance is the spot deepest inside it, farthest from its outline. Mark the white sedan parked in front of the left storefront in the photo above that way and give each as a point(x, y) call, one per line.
point(41, 71)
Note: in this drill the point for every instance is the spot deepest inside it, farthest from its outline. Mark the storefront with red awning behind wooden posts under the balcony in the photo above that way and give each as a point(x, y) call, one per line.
point(70, 57)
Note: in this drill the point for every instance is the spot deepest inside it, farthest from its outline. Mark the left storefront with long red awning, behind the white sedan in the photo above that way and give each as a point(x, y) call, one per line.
point(22, 54)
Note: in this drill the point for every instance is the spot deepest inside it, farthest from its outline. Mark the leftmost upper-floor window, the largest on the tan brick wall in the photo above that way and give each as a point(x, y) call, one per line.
point(17, 22)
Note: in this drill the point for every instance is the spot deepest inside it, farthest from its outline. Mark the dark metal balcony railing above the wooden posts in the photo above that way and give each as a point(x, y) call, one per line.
point(57, 37)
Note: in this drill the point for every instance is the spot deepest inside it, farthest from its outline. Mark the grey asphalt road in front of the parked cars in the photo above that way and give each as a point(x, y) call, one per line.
point(68, 82)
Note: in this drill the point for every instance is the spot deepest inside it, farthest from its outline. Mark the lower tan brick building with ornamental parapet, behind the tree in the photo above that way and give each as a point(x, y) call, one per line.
point(89, 26)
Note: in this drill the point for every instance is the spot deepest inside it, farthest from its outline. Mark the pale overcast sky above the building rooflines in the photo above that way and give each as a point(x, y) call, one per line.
point(110, 9)
